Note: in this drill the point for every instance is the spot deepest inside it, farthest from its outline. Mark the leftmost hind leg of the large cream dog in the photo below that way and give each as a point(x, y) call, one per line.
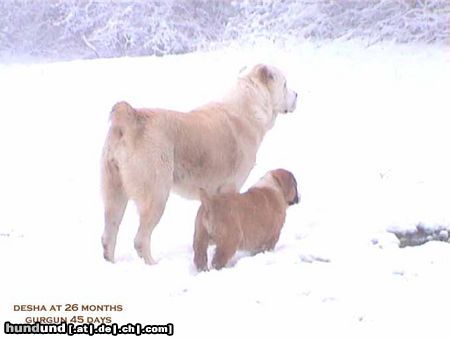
point(115, 201)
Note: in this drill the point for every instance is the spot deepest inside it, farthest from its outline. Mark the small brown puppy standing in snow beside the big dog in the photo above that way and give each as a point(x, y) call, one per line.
point(250, 221)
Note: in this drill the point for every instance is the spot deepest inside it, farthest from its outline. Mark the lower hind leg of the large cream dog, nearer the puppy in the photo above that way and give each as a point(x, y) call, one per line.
point(150, 212)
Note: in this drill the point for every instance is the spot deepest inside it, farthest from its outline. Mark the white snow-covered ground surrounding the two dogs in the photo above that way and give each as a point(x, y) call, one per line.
point(369, 144)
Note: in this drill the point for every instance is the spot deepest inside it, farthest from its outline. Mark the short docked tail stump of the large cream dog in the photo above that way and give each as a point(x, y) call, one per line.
point(125, 118)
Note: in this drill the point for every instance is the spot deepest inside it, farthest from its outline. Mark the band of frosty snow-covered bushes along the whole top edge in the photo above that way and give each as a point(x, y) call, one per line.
point(67, 29)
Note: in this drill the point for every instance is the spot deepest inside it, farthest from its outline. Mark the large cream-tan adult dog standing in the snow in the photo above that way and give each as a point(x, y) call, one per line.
point(150, 152)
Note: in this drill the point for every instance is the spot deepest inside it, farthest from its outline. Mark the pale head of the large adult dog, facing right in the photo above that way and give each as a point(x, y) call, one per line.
point(283, 99)
